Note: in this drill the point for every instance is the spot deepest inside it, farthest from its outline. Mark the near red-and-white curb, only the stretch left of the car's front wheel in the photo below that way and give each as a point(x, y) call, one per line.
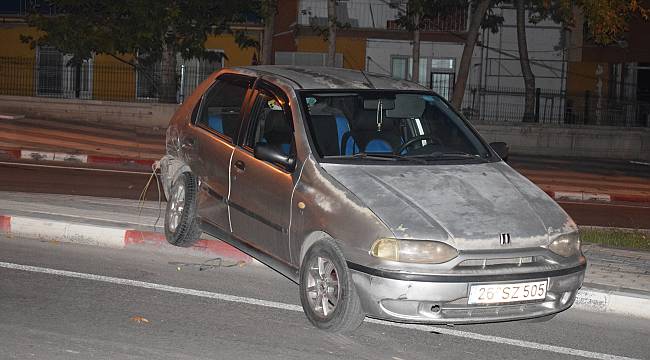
point(106, 236)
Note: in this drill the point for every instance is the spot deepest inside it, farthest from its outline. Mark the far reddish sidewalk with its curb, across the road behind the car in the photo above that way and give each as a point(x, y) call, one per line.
point(562, 178)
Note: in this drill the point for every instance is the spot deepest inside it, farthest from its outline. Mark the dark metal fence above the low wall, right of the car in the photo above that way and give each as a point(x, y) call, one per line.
point(506, 105)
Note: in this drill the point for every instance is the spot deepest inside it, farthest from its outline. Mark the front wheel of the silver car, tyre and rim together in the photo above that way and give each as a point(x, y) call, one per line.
point(327, 292)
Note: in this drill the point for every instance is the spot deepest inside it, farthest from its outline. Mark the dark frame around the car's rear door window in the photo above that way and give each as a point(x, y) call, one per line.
point(196, 113)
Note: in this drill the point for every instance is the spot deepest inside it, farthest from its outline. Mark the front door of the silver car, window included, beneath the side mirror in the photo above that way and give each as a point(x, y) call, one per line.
point(260, 195)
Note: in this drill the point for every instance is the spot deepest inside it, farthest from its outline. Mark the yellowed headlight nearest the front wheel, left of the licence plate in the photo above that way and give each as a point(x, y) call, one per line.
point(413, 251)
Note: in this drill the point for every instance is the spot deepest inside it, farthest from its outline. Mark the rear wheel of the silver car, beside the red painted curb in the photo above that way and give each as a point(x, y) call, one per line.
point(181, 224)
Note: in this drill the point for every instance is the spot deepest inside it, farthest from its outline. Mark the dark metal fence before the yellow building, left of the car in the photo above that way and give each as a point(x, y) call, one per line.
point(49, 76)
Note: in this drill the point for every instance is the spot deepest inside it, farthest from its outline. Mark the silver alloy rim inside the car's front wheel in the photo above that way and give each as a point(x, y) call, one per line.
point(323, 286)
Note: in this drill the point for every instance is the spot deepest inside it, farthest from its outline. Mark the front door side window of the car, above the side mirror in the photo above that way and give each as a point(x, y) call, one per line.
point(271, 122)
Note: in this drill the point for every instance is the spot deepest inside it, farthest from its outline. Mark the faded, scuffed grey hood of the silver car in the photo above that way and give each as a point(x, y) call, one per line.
point(467, 206)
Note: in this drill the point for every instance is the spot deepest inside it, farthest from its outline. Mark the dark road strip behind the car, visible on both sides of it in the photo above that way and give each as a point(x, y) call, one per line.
point(129, 183)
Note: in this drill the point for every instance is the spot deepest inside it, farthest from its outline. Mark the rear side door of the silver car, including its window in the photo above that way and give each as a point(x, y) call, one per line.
point(217, 126)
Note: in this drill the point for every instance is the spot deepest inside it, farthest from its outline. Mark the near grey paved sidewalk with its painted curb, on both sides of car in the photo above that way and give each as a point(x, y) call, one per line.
point(616, 281)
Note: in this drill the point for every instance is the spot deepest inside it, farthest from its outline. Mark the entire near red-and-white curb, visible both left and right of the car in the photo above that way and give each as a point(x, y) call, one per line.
point(591, 299)
